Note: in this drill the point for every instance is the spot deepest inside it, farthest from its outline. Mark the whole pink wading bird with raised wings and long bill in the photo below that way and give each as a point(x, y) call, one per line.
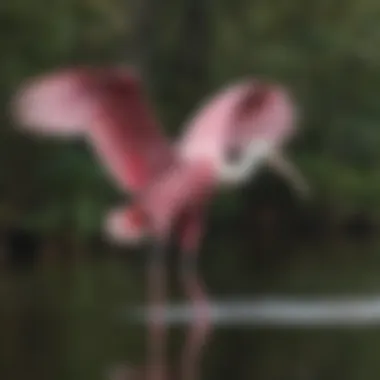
point(171, 184)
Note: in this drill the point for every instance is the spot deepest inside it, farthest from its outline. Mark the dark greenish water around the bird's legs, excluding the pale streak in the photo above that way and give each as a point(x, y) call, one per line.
point(64, 320)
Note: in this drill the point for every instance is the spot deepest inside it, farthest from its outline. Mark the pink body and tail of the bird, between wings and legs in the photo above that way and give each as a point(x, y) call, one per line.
point(180, 195)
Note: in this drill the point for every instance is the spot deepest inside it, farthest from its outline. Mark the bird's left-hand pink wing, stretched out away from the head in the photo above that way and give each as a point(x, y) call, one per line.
point(107, 106)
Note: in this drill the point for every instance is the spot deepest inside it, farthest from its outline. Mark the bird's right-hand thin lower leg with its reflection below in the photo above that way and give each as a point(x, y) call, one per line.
point(200, 327)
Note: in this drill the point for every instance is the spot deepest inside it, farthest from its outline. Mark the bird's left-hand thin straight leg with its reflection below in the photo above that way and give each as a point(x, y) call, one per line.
point(157, 328)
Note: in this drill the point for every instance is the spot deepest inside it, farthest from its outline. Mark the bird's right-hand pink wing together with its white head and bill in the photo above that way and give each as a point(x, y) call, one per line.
point(253, 119)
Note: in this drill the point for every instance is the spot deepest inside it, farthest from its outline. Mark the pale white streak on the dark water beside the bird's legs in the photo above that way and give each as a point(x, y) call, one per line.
point(336, 312)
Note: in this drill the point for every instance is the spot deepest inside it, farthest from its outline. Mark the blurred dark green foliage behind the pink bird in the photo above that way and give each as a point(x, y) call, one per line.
point(325, 52)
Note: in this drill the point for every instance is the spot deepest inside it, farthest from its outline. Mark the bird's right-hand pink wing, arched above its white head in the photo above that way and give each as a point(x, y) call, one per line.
point(234, 117)
